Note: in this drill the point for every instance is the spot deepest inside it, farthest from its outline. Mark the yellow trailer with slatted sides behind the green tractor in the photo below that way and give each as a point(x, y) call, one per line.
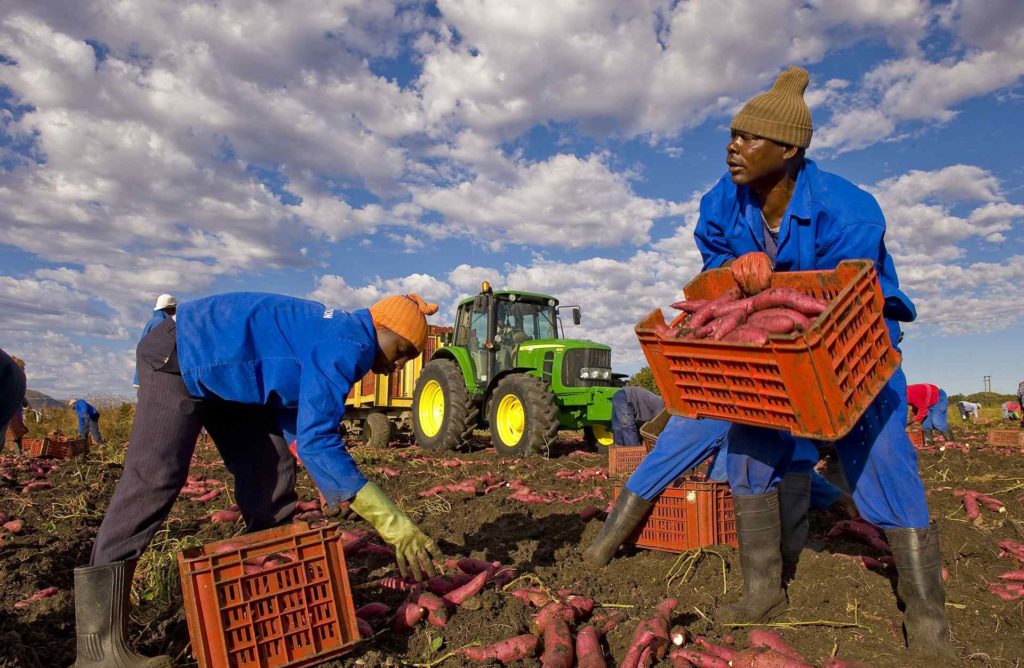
point(379, 406)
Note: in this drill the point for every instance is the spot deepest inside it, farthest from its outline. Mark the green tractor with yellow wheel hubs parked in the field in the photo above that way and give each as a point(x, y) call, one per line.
point(506, 368)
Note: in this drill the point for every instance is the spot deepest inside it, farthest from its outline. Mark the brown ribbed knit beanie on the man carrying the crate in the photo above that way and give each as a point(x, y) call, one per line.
point(781, 114)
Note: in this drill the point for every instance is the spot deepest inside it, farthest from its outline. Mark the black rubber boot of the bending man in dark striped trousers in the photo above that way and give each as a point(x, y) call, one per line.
point(102, 619)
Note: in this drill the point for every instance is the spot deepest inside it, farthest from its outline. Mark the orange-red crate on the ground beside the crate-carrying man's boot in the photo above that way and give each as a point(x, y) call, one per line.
point(688, 516)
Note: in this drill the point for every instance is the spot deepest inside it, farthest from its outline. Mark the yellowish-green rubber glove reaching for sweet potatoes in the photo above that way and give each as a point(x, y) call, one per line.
point(413, 550)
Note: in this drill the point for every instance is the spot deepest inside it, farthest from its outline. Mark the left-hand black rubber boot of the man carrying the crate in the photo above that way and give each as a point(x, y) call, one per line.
point(760, 536)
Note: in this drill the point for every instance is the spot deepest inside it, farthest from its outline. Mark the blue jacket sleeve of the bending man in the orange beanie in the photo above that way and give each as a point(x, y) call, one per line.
point(327, 377)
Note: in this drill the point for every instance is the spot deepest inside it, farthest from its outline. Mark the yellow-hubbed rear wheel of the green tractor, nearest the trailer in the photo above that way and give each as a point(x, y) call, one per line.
point(444, 413)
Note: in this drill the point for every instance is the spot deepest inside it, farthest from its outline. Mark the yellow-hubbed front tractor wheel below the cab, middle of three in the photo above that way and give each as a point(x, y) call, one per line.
point(524, 417)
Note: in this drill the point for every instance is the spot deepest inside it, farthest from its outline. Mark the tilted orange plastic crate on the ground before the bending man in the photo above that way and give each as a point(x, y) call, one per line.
point(296, 614)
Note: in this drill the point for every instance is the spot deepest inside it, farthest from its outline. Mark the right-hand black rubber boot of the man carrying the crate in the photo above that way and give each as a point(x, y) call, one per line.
point(916, 553)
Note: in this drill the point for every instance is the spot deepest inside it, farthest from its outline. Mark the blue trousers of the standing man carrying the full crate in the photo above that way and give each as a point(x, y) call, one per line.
point(877, 456)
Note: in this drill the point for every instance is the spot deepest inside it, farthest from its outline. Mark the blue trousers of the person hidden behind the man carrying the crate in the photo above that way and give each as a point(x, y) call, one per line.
point(685, 444)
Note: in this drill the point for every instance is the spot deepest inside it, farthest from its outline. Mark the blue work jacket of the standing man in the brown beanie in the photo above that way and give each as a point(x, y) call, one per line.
point(829, 221)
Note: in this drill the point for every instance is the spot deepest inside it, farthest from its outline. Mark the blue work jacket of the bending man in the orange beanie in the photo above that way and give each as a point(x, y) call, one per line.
point(293, 356)
